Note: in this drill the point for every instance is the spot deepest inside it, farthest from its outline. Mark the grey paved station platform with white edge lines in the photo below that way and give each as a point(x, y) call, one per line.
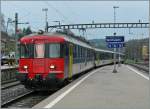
point(102, 89)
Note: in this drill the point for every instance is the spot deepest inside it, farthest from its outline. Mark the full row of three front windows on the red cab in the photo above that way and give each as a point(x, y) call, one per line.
point(52, 50)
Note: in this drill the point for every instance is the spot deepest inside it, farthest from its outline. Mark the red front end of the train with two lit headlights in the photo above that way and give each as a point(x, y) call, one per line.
point(41, 63)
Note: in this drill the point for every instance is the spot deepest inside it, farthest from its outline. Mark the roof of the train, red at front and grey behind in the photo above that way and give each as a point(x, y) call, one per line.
point(60, 37)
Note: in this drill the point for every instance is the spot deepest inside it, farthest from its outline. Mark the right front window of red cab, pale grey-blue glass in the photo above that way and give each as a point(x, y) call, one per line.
point(54, 50)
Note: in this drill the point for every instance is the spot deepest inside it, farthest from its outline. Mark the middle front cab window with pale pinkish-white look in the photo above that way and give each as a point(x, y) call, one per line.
point(39, 50)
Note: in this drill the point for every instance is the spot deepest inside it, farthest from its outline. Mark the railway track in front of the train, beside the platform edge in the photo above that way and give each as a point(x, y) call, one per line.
point(27, 100)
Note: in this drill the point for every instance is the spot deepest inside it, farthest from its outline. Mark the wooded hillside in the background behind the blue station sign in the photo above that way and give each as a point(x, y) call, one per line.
point(132, 50)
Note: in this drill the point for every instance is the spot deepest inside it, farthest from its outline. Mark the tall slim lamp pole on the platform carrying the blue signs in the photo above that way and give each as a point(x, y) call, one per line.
point(114, 70)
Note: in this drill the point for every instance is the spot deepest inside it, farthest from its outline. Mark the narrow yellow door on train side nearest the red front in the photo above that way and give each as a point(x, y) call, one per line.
point(70, 61)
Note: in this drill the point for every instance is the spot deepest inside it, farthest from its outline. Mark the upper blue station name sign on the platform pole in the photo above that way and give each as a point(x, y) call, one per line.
point(114, 38)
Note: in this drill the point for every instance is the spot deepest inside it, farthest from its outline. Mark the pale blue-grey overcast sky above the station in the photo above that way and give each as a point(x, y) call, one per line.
point(80, 12)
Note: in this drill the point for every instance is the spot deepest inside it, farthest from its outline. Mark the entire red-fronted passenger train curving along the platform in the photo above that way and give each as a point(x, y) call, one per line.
point(48, 59)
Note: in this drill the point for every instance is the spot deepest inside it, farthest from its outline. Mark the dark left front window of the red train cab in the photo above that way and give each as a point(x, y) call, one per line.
point(26, 51)
